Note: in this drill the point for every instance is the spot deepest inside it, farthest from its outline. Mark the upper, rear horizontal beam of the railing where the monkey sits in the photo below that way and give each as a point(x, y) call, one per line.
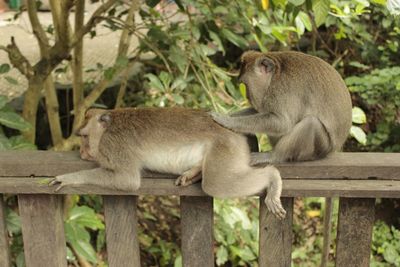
point(337, 166)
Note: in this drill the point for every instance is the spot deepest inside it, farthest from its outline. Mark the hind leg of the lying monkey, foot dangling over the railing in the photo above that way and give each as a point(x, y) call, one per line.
point(227, 173)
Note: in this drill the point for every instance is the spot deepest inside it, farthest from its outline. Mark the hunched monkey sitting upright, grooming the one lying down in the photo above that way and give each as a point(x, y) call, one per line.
point(300, 102)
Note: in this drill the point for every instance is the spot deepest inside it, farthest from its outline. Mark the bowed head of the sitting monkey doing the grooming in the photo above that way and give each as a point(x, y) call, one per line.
point(256, 72)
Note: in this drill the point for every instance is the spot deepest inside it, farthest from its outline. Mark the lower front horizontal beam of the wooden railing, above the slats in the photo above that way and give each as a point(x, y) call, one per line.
point(166, 187)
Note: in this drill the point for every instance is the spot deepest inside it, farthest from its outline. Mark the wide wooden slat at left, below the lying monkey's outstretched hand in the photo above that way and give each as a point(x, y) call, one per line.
point(42, 230)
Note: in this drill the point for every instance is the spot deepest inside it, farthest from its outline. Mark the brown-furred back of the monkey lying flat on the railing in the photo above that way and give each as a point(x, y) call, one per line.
point(172, 124)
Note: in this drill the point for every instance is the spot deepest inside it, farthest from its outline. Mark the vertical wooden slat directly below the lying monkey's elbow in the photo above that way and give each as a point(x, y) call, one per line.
point(121, 231)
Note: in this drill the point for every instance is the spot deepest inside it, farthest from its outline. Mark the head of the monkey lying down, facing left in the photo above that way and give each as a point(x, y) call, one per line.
point(94, 125)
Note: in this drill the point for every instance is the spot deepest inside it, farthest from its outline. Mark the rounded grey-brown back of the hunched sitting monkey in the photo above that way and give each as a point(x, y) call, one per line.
point(319, 91)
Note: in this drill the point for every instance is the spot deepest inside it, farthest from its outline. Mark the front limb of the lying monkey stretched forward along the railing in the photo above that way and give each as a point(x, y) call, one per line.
point(121, 180)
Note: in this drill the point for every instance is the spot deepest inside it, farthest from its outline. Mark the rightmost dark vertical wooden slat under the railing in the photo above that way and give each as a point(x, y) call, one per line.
point(356, 220)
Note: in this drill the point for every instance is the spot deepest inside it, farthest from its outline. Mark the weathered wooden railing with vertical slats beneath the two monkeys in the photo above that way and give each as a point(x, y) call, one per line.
point(357, 178)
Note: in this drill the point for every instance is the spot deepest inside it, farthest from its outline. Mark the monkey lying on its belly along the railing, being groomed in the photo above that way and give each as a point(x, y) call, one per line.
point(185, 142)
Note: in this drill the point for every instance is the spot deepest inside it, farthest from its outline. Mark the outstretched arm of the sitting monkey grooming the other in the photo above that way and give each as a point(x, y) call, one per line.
point(269, 123)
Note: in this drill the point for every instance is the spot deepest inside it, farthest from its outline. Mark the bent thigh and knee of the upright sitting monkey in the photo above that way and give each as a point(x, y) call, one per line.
point(308, 140)
